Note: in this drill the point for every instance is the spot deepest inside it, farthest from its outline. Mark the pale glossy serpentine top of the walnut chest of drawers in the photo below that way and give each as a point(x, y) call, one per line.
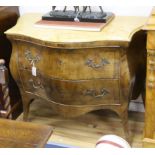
point(118, 32)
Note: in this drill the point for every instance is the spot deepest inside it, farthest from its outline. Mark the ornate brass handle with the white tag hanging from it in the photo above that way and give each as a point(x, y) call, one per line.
point(30, 58)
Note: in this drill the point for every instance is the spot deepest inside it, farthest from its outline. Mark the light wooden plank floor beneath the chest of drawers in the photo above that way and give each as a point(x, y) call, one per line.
point(84, 131)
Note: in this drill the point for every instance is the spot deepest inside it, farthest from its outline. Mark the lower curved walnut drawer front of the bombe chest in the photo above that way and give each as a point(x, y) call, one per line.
point(82, 92)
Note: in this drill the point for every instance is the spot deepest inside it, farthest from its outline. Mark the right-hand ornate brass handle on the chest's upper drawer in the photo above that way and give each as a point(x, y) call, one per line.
point(91, 64)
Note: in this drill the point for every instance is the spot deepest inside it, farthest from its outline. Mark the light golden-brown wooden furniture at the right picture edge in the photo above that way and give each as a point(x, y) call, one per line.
point(149, 127)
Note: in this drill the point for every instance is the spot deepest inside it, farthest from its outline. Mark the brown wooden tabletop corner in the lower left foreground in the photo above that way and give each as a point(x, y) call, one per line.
point(15, 134)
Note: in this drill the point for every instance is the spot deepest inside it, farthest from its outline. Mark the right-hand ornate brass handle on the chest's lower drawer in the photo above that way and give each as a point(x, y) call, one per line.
point(93, 93)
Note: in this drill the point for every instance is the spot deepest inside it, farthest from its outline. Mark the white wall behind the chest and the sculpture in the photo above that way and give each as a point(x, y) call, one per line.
point(117, 10)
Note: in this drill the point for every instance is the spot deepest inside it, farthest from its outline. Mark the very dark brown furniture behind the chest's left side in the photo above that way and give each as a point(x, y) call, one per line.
point(8, 18)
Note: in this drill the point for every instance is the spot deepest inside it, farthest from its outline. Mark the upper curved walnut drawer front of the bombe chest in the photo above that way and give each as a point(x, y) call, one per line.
point(70, 64)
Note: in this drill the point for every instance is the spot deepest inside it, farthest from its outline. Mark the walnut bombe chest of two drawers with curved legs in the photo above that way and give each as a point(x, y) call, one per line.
point(76, 71)
